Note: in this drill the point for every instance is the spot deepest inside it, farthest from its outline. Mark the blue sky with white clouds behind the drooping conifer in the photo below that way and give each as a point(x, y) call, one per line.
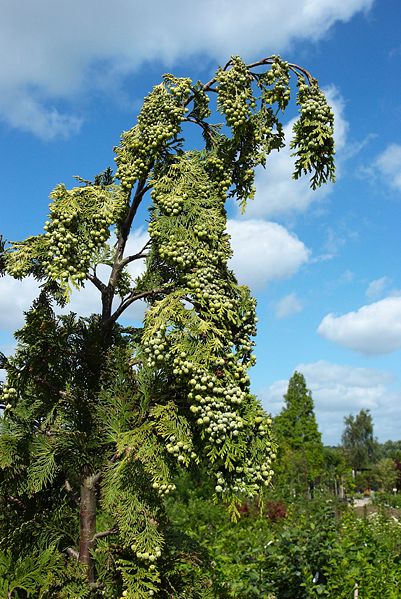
point(325, 266)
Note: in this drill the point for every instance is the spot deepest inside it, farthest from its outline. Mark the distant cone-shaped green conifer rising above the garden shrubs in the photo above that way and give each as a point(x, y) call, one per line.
point(301, 456)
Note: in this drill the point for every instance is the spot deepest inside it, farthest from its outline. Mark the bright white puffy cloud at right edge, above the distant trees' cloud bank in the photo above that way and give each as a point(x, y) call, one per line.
point(373, 329)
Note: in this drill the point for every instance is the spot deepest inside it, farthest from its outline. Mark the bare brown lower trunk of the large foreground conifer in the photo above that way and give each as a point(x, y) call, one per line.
point(87, 522)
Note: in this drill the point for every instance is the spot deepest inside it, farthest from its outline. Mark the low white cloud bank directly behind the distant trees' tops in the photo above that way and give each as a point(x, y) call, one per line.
point(339, 390)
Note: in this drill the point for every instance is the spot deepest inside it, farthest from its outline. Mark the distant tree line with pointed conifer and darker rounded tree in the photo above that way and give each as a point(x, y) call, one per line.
point(359, 463)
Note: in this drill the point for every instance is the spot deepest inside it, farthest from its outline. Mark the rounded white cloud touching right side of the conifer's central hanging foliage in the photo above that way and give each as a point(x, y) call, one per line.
point(264, 251)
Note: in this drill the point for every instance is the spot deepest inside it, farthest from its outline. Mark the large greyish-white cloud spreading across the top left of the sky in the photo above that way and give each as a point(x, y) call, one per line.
point(53, 51)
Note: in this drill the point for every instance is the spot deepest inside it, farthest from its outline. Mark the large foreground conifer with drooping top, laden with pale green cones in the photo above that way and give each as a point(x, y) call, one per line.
point(97, 417)
